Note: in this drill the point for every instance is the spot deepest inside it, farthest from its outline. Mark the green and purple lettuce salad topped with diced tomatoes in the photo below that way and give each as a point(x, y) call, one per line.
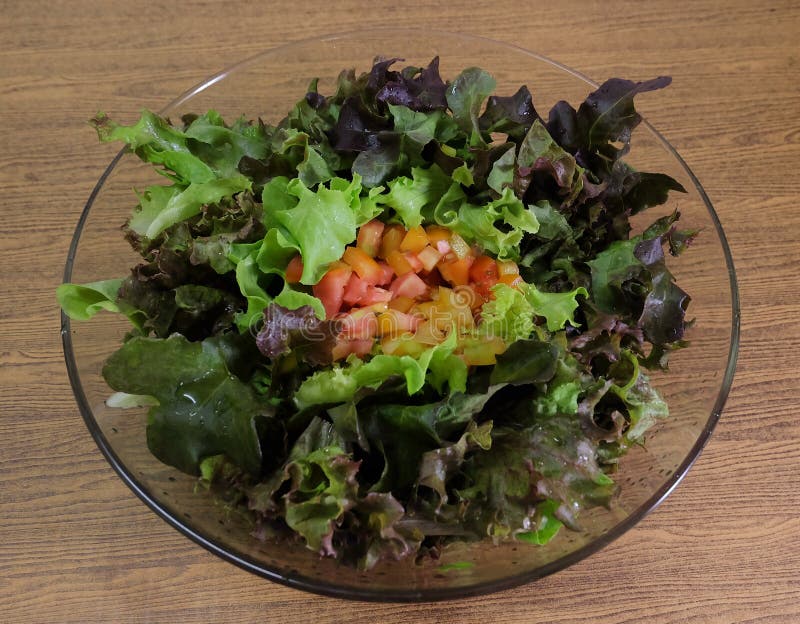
point(412, 312)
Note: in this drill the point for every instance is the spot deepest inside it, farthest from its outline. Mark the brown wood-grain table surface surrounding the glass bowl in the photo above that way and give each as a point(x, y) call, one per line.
point(76, 544)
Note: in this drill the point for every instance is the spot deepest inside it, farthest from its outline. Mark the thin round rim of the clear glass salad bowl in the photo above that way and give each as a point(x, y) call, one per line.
point(399, 595)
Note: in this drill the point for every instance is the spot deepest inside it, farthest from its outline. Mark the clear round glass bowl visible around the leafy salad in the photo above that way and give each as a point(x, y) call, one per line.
point(266, 86)
